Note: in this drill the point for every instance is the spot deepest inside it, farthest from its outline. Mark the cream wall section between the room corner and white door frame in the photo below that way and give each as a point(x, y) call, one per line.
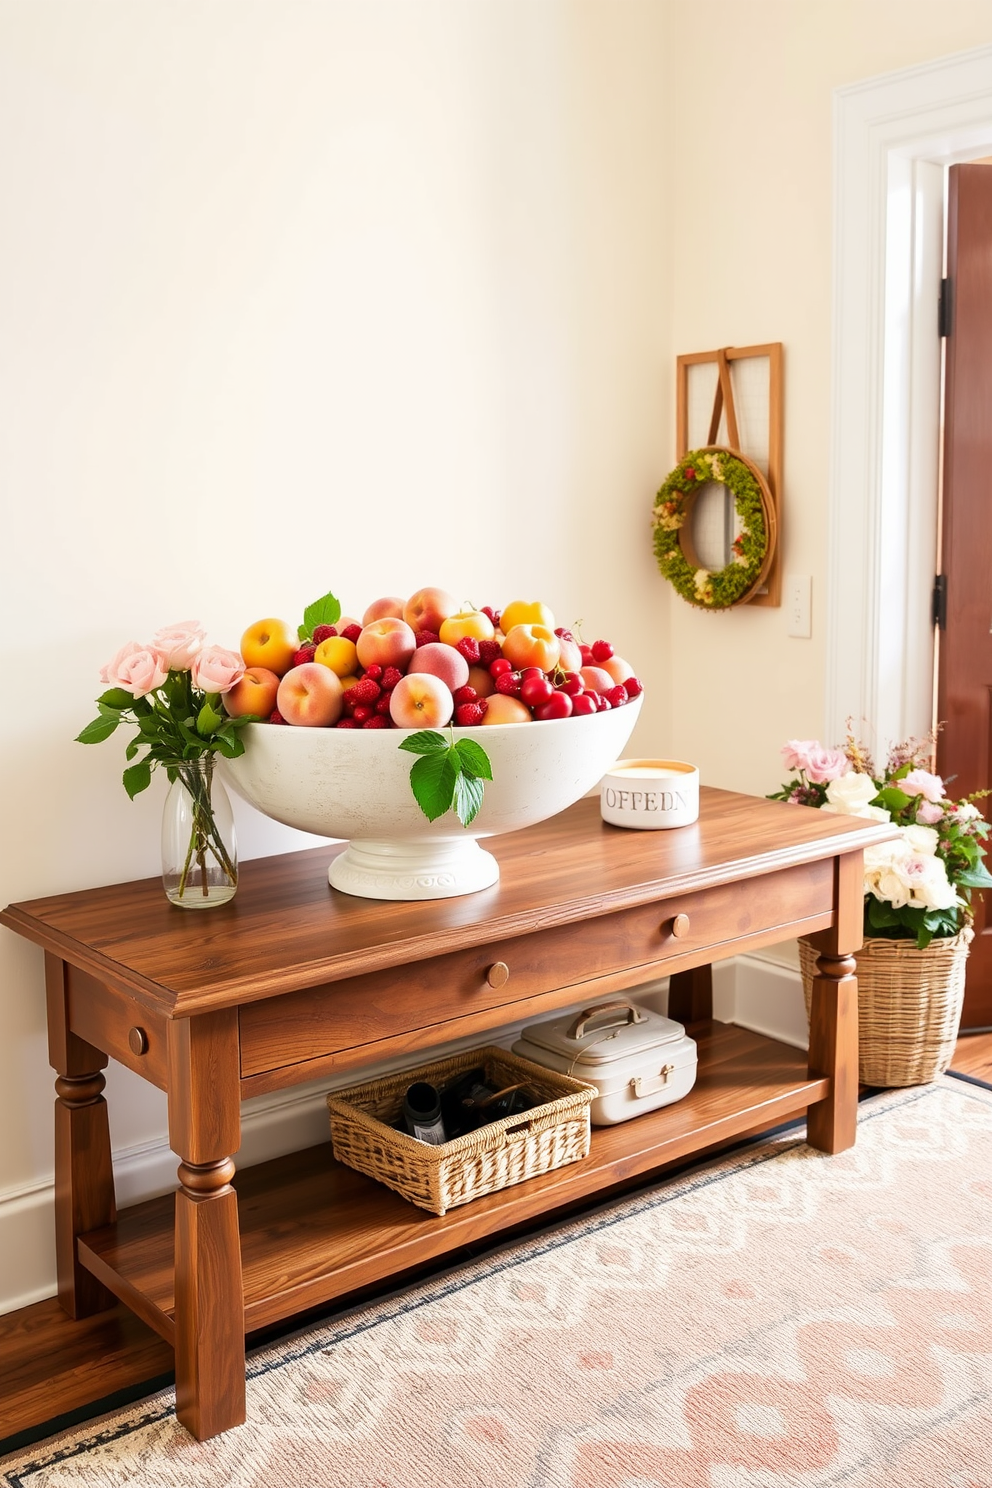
point(752, 123)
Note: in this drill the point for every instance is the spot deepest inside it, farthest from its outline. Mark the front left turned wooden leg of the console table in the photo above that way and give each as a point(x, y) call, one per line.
point(204, 1132)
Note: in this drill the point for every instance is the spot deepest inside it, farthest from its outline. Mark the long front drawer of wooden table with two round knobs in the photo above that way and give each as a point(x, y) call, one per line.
point(298, 1027)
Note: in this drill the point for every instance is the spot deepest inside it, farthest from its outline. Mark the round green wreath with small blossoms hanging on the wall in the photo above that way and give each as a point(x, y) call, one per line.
point(752, 550)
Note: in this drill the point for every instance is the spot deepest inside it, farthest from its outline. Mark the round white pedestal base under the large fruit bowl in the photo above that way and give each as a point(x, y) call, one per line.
point(439, 868)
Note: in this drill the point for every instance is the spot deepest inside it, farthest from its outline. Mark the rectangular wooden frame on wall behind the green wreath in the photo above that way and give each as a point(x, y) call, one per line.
point(761, 429)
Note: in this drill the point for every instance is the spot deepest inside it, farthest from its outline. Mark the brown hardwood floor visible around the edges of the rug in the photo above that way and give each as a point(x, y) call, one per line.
point(56, 1373)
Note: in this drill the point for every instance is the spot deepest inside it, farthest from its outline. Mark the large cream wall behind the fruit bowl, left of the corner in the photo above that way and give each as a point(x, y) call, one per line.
point(295, 295)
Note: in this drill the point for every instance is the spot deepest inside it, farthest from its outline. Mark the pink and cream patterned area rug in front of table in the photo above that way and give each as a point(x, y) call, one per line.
point(774, 1319)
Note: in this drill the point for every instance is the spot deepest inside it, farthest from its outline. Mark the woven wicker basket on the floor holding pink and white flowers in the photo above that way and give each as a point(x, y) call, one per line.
point(909, 1007)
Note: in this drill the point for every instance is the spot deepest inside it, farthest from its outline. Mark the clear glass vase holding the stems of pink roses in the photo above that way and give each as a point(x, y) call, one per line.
point(200, 855)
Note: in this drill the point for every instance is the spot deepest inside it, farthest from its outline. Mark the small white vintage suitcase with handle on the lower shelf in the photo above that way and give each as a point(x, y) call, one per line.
point(634, 1057)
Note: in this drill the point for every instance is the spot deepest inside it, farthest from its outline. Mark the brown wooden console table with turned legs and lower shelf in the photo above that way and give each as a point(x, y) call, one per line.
point(294, 981)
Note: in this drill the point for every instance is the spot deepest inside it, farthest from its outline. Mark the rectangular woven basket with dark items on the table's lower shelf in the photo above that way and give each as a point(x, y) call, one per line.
point(483, 1161)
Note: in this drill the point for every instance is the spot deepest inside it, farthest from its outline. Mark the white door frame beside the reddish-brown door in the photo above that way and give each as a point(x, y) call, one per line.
point(893, 138)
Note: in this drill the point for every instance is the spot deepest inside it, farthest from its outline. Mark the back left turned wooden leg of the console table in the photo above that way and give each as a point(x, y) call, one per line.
point(84, 1170)
